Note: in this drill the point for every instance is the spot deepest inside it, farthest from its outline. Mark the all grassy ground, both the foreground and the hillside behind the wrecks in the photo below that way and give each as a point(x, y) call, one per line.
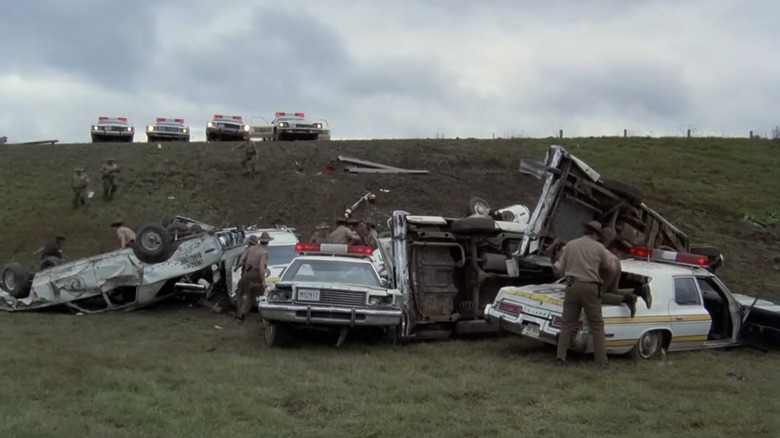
point(171, 372)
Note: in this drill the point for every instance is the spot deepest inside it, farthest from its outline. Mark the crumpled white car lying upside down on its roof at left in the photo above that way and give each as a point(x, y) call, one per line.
point(164, 260)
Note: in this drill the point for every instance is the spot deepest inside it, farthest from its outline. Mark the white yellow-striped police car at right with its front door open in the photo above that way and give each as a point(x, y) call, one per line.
point(690, 309)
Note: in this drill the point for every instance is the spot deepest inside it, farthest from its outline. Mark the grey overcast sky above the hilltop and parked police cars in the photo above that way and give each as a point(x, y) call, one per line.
point(393, 68)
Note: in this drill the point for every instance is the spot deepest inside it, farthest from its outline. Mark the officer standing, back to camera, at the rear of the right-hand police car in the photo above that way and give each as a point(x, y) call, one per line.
point(581, 261)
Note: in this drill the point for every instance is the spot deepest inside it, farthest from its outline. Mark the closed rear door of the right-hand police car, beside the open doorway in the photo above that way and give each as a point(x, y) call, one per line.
point(690, 321)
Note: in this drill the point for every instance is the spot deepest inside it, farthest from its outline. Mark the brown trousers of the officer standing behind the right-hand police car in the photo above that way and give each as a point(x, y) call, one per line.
point(583, 296)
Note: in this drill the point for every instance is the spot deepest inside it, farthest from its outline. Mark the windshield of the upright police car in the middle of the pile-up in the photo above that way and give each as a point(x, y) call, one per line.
point(332, 271)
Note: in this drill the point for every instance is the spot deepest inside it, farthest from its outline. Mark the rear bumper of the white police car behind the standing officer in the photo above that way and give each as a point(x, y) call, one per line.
point(532, 327)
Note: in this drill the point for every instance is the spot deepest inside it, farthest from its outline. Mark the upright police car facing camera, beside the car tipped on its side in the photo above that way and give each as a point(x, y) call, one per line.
point(330, 286)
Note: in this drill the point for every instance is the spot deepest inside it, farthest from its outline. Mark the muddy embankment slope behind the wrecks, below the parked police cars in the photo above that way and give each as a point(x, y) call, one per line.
point(205, 181)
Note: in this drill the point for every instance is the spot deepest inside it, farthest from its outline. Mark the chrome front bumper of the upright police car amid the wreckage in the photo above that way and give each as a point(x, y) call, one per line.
point(329, 315)
